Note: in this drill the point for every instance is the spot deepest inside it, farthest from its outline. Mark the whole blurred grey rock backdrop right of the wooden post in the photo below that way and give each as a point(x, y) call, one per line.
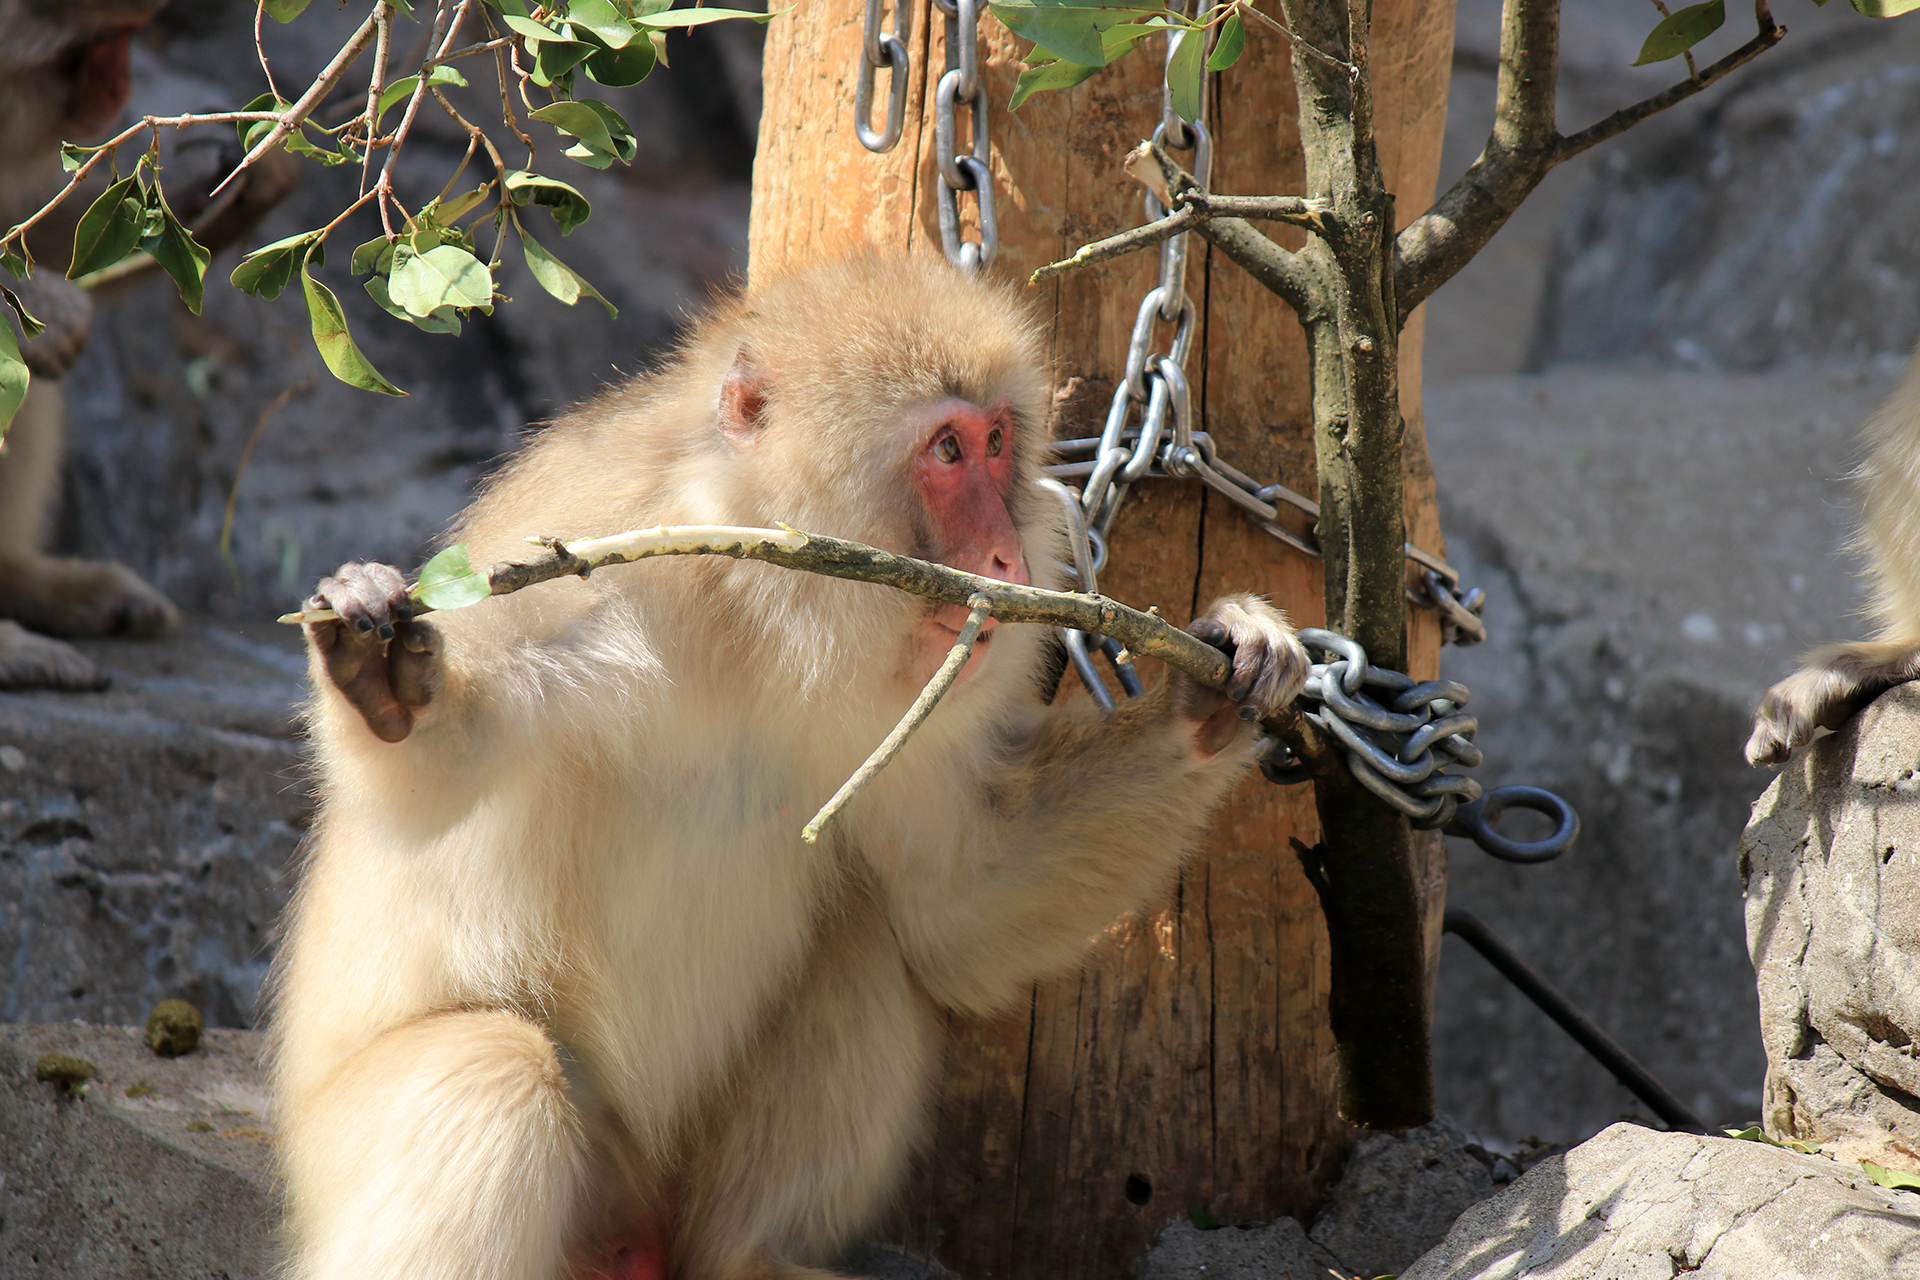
point(1643, 404)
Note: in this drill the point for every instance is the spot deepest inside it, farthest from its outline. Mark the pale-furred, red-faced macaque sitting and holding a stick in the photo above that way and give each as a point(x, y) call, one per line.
point(564, 991)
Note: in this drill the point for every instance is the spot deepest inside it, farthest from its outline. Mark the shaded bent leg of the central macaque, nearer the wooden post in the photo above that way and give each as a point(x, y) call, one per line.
point(827, 1118)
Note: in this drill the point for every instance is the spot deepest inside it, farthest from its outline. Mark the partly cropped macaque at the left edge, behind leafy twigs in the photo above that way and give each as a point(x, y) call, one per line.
point(62, 78)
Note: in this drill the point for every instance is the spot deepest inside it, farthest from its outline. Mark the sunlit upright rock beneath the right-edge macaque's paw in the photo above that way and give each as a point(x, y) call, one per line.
point(1833, 874)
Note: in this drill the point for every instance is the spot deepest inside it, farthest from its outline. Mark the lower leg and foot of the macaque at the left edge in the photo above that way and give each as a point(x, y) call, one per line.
point(47, 594)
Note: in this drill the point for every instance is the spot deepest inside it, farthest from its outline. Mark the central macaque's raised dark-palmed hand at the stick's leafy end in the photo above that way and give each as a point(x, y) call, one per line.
point(383, 661)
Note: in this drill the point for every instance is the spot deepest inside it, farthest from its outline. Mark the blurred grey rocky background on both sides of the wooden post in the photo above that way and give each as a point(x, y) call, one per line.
point(1641, 400)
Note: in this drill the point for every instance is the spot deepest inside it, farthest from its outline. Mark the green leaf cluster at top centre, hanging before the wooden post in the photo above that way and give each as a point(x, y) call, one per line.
point(1072, 41)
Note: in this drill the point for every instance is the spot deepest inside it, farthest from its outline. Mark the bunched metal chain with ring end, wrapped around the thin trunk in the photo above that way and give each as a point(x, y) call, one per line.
point(1399, 746)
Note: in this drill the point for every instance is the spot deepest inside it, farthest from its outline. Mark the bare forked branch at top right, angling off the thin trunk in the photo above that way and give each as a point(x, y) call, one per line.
point(1525, 145)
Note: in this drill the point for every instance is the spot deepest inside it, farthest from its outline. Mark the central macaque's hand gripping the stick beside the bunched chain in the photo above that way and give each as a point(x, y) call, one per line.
point(1268, 671)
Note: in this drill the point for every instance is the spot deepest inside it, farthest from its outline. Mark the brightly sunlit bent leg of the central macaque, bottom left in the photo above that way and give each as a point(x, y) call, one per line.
point(444, 1150)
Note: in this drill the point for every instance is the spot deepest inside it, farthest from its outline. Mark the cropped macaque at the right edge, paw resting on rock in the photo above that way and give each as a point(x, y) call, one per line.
point(1838, 680)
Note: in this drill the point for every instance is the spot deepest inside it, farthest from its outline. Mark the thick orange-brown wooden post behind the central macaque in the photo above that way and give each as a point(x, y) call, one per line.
point(1191, 1064)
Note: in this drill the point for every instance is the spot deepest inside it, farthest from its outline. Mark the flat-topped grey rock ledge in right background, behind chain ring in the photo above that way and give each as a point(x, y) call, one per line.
point(1658, 548)
